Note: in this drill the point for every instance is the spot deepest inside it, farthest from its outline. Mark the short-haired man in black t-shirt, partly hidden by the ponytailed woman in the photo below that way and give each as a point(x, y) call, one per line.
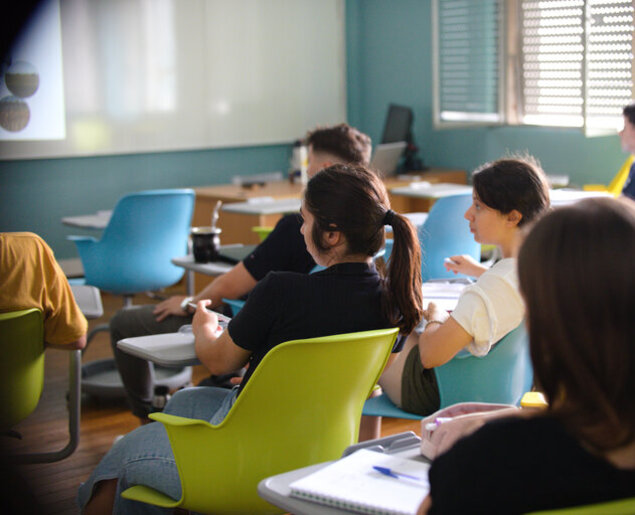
point(283, 250)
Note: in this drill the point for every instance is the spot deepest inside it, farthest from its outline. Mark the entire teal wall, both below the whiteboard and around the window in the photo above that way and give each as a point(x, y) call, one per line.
point(388, 60)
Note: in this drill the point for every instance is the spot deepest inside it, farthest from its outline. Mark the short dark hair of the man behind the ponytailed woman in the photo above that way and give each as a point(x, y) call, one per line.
point(342, 141)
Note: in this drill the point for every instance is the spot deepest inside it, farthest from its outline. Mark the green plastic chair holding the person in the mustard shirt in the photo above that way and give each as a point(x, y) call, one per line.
point(22, 379)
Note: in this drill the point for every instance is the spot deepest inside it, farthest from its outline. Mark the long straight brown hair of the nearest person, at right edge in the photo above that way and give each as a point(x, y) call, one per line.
point(577, 275)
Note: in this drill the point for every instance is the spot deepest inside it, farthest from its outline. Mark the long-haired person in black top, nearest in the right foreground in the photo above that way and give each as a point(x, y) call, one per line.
point(580, 450)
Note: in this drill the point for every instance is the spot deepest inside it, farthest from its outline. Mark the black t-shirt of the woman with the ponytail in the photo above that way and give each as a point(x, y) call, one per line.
point(287, 306)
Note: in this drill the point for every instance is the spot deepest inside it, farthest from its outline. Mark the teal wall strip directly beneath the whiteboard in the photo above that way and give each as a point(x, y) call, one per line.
point(36, 194)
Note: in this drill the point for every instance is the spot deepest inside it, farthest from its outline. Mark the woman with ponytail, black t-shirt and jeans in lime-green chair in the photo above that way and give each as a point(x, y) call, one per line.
point(348, 296)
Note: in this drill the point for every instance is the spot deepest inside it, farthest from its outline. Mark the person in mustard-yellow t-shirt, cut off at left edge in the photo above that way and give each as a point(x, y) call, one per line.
point(30, 277)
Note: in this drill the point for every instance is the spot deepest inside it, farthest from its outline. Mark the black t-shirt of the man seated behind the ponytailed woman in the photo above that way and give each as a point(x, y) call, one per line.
point(283, 250)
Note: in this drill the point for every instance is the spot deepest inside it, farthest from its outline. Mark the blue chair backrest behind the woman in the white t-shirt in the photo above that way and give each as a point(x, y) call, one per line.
point(502, 376)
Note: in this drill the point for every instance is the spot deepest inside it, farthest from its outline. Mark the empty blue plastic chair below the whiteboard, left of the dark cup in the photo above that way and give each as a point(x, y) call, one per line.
point(147, 229)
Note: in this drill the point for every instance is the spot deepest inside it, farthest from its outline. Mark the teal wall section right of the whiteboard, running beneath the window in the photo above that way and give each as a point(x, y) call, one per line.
point(390, 61)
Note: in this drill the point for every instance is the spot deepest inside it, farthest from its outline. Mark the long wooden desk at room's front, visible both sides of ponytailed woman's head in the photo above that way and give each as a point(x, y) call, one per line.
point(237, 226)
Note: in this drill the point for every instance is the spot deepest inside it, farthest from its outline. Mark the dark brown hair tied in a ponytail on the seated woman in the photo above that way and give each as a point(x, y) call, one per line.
point(353, 200)
